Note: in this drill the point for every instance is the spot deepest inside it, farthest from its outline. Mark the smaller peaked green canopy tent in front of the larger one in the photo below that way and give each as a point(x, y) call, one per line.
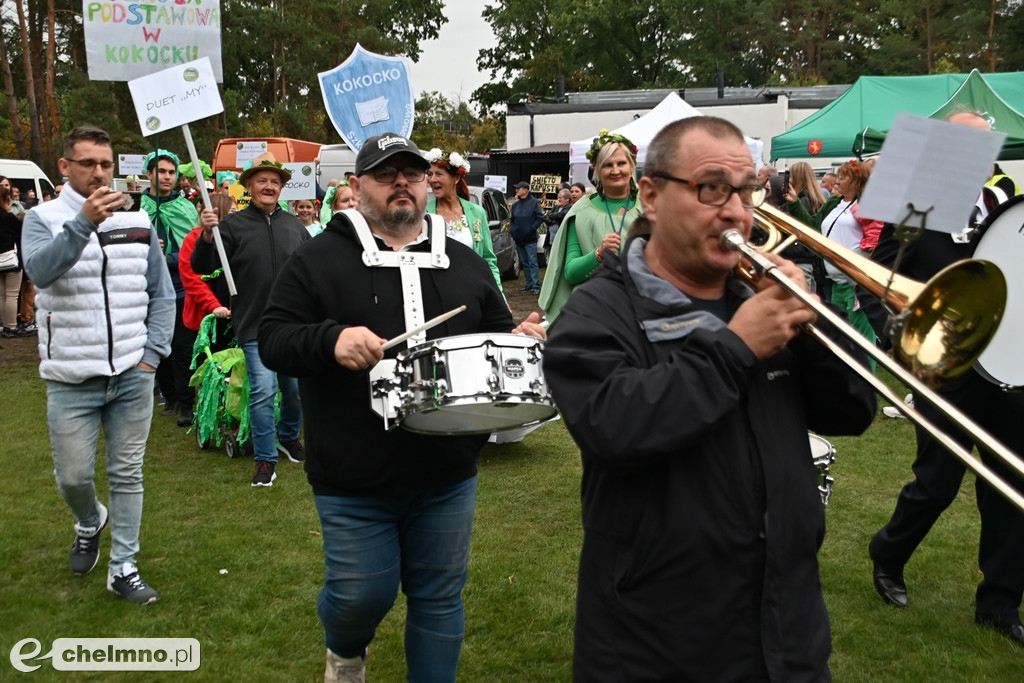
point(977, 96)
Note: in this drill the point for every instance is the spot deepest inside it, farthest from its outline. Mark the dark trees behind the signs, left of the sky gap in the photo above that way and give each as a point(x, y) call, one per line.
point(272, 50)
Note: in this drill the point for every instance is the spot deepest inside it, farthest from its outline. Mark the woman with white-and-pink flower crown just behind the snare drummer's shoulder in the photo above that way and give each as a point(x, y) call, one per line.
point(465, 222)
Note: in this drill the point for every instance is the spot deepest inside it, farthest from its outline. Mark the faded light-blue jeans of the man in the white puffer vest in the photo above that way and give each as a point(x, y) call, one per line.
point(123, 405)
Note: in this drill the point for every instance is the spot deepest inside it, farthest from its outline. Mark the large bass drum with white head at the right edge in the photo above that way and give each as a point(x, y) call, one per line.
point(1003, 244)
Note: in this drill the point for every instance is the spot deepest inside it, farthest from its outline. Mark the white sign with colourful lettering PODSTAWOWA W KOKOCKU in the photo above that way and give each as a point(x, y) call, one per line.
point(127, 39)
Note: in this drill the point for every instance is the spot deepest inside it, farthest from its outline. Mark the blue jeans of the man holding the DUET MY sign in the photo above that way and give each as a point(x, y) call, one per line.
point(264, 386)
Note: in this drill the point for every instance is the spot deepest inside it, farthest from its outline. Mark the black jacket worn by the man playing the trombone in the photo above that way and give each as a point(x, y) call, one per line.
point(702, 517)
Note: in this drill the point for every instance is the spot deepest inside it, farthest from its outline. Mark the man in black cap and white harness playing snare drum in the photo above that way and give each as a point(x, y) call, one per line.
point(396, 506)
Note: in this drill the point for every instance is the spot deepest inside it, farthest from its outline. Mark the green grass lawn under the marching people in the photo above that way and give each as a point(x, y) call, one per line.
point(258, 621)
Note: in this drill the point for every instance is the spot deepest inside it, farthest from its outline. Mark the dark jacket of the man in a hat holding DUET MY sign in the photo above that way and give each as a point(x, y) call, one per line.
point(258, 246)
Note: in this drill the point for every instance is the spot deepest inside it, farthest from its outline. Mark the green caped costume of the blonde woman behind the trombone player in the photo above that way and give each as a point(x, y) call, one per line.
point(572, 259)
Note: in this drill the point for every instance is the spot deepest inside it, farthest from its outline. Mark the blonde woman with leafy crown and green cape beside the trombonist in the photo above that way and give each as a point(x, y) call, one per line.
point(595, 224)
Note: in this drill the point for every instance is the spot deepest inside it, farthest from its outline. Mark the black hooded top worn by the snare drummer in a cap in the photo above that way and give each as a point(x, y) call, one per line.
point(325, 288)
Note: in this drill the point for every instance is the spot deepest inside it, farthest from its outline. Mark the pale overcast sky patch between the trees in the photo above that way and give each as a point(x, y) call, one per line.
point(449, 64)
